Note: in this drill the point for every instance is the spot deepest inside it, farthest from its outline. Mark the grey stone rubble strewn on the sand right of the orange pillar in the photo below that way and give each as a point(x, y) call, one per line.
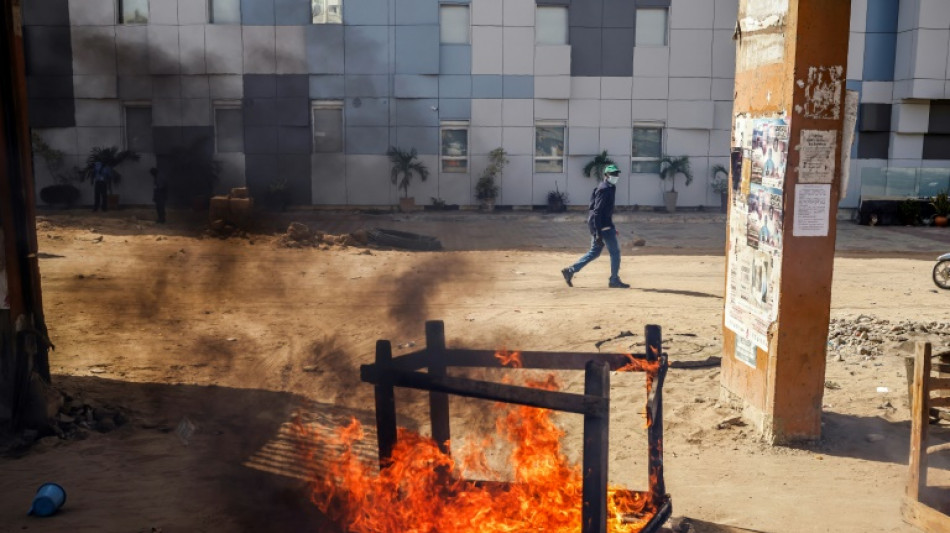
point(868, 337)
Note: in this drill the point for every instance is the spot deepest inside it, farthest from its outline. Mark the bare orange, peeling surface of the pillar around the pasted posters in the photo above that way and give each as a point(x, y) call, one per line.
point(789, 62)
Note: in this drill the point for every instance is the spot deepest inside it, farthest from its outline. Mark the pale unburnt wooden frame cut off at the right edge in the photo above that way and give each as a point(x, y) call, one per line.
point(916, 508)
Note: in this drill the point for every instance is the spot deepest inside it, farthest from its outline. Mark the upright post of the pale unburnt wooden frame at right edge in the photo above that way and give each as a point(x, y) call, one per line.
point(917, 478)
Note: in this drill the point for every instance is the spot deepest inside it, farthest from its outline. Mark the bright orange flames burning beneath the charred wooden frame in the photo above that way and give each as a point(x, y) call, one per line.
point(422, 490)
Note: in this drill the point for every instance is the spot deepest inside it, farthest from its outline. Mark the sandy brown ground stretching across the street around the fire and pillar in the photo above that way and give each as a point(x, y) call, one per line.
point(236, 336)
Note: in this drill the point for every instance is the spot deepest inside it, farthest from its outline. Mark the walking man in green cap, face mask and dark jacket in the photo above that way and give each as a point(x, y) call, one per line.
point(602, 230)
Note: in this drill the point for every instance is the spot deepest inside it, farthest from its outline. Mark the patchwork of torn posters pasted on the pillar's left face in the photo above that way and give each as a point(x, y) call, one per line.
point(756, 225)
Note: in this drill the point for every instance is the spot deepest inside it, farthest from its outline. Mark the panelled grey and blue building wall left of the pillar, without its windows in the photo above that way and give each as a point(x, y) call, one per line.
point(396, 83)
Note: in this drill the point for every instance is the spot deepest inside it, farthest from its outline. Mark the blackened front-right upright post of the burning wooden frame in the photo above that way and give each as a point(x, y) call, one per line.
point(596, 451)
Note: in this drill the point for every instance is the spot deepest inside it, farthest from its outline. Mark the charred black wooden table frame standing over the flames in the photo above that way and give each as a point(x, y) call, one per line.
point(406, 371)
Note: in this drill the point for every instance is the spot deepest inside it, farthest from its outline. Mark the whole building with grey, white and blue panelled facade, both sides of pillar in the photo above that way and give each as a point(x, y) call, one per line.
point(313, 92)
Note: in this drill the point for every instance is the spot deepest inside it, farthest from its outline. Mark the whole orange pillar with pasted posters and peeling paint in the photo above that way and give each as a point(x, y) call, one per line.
point(789, 110)
